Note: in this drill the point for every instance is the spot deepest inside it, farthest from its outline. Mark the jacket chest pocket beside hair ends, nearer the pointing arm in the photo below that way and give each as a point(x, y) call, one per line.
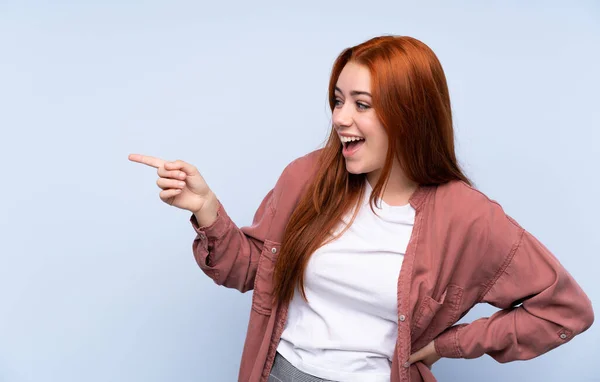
point(263, 283)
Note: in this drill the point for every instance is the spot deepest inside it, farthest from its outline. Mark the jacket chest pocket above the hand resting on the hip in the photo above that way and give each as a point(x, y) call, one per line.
point(434, 316)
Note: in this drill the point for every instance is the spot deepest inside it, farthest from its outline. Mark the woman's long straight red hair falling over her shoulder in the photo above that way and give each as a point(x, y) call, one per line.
point(411, 99)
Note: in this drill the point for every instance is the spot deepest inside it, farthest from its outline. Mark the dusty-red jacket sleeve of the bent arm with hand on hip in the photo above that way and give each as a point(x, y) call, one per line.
point(542, 306)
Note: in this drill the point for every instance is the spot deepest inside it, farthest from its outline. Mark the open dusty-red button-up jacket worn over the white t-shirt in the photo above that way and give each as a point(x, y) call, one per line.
point(464, 250)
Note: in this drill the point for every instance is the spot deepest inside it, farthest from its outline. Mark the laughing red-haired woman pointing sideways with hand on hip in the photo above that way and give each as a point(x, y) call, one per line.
point(367, 252)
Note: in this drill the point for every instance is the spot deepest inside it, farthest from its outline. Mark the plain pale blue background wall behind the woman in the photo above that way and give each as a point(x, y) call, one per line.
point(97, 277)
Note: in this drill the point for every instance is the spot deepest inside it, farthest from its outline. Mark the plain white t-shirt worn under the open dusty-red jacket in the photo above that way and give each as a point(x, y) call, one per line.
point(347, 331)
